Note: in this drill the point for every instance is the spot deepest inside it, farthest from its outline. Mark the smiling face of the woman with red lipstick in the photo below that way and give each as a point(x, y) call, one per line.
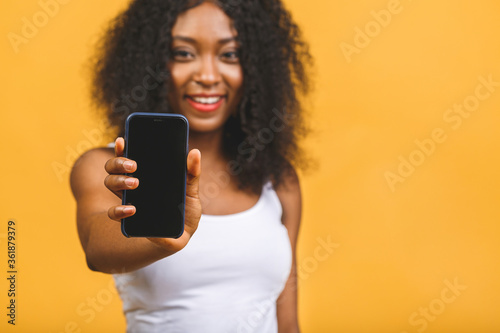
point(206, 75)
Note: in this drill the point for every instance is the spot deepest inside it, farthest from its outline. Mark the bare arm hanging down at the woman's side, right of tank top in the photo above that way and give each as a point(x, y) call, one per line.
point(290, 197)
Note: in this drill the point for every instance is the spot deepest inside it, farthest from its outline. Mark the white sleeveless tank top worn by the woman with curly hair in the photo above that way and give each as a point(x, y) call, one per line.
point(227, 278)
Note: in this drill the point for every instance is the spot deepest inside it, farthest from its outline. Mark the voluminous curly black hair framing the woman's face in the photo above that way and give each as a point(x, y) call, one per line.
point(130, 74)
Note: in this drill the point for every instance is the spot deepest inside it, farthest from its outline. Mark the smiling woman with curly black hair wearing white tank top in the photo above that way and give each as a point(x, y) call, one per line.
point(233, 69)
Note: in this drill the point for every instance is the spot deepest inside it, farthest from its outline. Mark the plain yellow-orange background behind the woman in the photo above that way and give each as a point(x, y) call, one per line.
point(393, 252)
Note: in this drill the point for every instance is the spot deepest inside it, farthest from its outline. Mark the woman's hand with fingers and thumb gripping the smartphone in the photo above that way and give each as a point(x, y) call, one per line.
point(116, 182)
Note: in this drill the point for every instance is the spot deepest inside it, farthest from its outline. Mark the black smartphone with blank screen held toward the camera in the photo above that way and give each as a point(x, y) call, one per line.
point(158, 142)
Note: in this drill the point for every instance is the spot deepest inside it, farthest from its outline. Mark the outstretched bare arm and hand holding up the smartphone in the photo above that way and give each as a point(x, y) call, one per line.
point(99, 211)
